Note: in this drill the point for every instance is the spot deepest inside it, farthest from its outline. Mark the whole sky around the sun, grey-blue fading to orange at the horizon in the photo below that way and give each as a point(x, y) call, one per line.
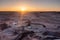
point(30, 5)
